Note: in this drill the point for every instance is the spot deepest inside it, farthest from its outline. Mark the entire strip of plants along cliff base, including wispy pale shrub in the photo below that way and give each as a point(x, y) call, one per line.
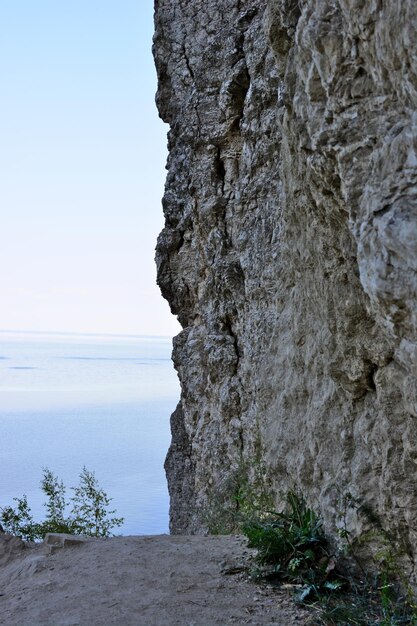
point(293, 549)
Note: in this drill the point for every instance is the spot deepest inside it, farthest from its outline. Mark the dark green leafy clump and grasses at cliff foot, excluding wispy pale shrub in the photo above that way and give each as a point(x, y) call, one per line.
point(292, 548)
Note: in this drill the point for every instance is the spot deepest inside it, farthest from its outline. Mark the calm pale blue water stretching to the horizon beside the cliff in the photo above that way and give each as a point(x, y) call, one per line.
point(103, 402)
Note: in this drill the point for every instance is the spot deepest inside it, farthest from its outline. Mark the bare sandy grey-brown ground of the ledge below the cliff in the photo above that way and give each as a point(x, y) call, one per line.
point(156, 580)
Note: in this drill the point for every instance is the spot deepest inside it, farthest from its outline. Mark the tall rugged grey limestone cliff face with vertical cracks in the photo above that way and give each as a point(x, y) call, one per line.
point(289, 251)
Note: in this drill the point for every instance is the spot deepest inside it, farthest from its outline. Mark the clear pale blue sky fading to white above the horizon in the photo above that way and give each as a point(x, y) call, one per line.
point(82, 168)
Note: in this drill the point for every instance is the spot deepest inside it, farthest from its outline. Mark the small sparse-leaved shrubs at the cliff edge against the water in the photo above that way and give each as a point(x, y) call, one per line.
point(88, 515)
